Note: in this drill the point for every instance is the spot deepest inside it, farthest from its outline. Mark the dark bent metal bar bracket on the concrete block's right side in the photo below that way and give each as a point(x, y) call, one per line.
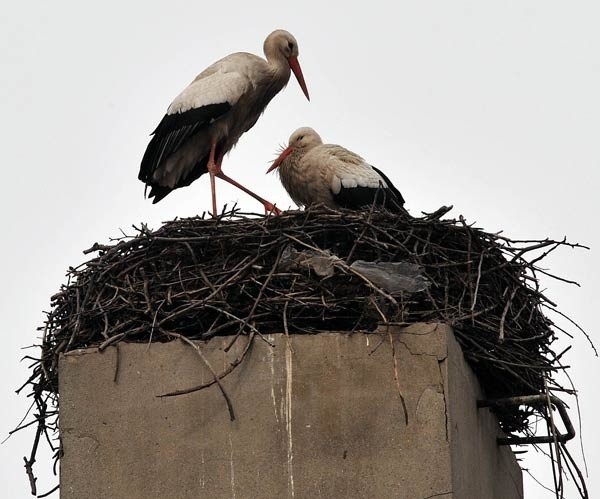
point(533, 401)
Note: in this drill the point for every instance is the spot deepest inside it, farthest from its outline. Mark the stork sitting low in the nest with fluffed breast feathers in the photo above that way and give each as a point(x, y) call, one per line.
point(313, 172)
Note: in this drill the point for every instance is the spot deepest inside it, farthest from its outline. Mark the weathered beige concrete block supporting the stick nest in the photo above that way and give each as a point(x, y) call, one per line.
point(317, 416)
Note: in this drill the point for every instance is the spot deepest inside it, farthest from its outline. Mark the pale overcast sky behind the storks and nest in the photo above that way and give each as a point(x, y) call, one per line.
point(491, 106)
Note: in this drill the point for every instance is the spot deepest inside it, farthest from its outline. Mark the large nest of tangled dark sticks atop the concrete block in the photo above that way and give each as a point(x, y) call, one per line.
point(309, 271)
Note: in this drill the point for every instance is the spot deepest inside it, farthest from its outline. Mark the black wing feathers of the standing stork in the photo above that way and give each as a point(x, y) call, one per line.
point(173, 131)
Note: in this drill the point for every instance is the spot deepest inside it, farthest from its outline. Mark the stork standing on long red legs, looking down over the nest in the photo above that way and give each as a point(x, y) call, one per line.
point(207, 119)
